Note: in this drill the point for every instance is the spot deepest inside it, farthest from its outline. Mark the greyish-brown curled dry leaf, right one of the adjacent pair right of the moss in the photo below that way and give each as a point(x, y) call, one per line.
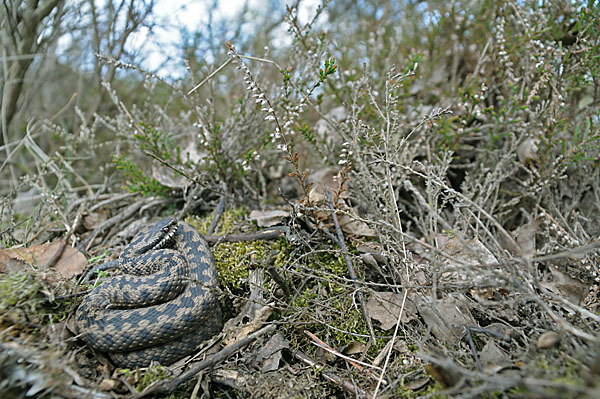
point(447, 317)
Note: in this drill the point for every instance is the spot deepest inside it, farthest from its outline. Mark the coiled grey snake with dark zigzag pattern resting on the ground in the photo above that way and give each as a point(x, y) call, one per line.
point(162, 306)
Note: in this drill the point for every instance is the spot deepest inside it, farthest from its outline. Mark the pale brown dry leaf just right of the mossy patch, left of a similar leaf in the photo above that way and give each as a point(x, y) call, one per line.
point(385, 308)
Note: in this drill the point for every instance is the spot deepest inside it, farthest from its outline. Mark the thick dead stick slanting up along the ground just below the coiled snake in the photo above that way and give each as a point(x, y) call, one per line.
point(170, 386)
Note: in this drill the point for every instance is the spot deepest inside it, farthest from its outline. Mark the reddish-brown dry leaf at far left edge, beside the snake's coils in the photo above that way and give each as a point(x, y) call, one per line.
point(71, 263)
